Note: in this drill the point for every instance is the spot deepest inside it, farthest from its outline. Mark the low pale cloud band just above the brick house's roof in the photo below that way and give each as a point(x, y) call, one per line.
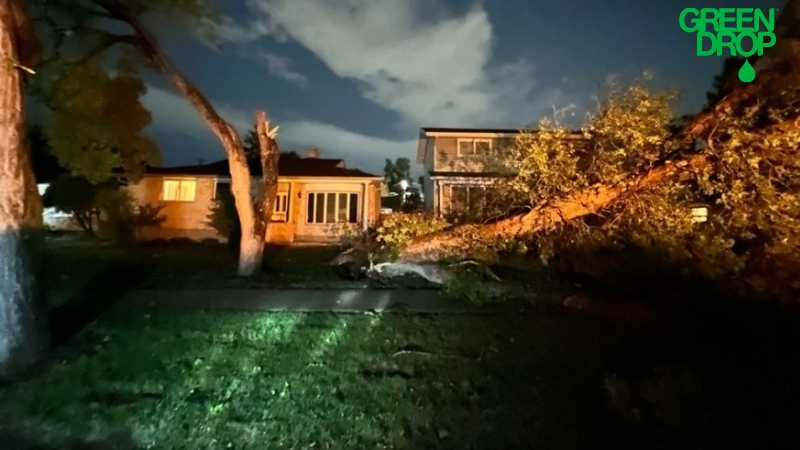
point(175, 121)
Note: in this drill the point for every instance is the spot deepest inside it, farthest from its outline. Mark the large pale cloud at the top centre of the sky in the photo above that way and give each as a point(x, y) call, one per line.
point(428, 65)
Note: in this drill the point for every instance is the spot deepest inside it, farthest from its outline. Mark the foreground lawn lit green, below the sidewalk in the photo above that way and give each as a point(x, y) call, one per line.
point(200, 380)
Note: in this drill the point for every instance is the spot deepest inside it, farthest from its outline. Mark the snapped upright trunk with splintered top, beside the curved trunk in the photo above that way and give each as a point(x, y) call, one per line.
point(269, 168)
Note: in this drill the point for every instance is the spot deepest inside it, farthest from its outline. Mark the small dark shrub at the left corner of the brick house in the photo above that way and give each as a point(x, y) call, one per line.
point(122, 219)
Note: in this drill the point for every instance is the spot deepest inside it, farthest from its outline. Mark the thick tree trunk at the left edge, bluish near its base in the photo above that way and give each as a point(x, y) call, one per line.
point(22, 336)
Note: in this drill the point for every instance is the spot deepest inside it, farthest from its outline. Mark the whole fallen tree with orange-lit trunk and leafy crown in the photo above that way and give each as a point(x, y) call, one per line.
point(631, 177)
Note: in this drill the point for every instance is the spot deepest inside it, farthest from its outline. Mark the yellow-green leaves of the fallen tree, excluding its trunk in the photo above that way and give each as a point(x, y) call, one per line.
point(751, 185)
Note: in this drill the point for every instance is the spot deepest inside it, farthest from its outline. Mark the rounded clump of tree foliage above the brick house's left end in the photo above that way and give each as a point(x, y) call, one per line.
point(98, 123)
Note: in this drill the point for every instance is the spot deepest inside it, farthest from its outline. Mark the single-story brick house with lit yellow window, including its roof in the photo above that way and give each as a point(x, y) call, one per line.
point(315, 196)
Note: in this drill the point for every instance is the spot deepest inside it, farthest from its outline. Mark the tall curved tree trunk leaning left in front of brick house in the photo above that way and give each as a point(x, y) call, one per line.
point(251, 248)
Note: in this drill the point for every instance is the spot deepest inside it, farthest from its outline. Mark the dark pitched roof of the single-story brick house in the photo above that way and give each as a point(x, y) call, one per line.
point(287, 167)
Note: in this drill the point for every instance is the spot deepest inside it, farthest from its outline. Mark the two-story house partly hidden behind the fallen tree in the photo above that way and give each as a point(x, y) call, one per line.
point(460, 166)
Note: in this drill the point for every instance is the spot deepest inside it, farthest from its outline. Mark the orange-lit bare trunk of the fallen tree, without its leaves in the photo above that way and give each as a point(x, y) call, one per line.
point(780, 64)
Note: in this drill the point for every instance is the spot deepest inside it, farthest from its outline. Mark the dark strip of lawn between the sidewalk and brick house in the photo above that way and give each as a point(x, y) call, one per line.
point(76, 265)
